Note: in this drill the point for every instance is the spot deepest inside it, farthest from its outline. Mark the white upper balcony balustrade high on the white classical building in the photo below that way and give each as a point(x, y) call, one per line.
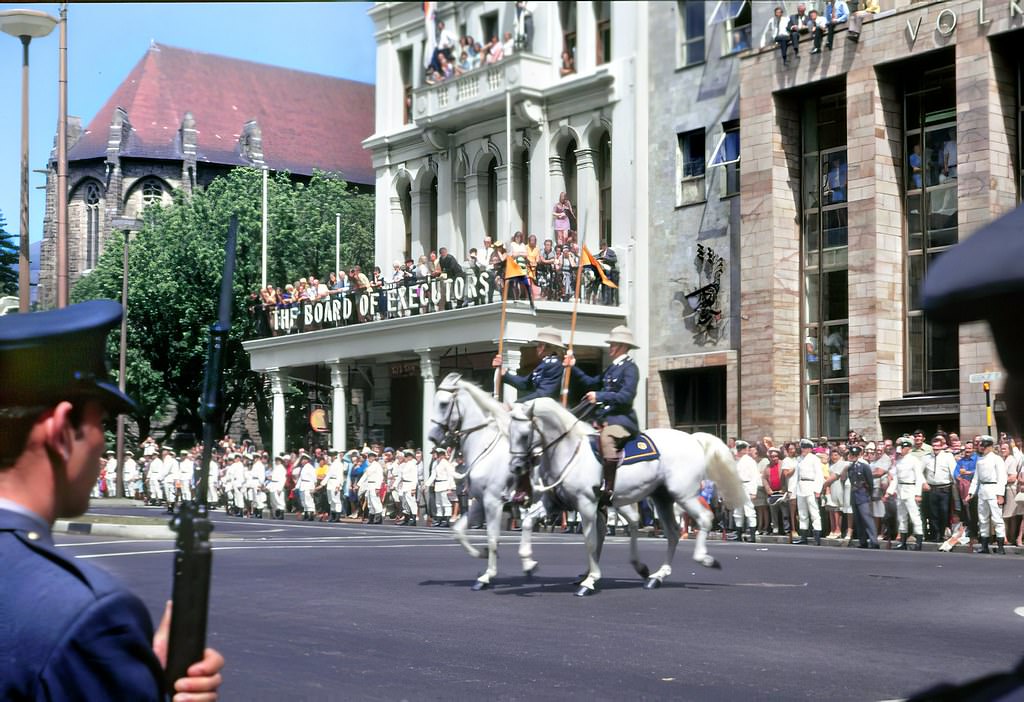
point(481, 94)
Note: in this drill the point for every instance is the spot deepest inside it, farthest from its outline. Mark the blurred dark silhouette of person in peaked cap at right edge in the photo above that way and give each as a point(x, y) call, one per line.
point(983, 279)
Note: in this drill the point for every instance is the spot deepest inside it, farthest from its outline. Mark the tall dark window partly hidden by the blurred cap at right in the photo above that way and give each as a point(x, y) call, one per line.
point(931, 211)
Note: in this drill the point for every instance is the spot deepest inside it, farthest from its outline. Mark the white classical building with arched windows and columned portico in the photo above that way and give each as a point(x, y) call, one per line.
point(486, 153)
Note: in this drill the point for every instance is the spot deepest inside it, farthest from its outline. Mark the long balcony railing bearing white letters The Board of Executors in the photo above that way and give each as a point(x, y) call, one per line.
point(418, 297)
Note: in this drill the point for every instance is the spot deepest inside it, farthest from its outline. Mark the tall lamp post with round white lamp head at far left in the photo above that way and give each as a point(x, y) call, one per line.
point(26, 25)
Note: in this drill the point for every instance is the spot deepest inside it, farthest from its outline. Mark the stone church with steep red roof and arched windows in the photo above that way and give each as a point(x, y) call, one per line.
point(180, 120)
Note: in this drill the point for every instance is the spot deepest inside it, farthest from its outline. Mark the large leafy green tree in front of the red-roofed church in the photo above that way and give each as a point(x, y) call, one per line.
point(176, 266)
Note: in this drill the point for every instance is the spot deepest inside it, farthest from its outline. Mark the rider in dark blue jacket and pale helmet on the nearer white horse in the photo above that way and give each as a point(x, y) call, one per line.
point(615, 415)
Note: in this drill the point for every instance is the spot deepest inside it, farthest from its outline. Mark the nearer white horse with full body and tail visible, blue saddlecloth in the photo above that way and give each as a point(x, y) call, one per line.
point(569, 476)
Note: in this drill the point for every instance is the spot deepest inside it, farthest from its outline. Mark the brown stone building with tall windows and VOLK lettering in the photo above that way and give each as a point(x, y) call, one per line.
point(851, 185)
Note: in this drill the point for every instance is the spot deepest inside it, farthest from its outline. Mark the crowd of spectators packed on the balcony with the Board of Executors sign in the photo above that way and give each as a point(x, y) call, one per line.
point(551, 271)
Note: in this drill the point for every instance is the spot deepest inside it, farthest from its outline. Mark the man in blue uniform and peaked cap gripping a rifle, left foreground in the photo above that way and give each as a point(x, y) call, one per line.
point(70, 631)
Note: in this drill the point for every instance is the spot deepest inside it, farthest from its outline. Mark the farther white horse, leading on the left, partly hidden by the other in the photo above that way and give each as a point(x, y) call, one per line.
point(468, 416)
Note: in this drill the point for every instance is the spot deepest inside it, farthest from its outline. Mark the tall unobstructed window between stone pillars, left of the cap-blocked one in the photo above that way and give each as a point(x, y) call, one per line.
point(826, 311)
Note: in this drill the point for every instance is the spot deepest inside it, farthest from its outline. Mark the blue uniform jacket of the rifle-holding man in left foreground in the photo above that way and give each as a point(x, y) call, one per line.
point(68, 631)
